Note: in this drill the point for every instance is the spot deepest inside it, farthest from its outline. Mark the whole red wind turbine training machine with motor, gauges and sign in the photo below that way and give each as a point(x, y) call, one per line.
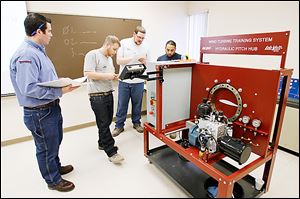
point(208, 114)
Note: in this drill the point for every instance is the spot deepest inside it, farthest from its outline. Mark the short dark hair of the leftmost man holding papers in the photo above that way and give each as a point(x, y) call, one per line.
point(35, 21)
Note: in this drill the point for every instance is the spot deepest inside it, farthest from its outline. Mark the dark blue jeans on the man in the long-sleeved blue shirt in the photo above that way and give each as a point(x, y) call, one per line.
point(47, 132)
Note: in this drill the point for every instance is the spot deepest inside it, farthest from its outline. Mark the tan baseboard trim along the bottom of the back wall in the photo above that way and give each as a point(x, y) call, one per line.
point(66, 130)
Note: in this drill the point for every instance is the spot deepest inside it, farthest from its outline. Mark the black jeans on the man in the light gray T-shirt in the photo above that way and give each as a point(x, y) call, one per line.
point(103, 107)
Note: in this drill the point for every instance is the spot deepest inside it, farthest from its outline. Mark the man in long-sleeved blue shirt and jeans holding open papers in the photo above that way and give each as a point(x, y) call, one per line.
point(42, 113)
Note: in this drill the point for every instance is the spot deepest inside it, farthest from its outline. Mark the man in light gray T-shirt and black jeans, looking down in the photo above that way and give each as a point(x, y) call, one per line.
point(100, 71)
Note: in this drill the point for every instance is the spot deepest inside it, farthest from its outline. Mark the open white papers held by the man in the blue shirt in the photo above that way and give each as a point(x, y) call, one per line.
point(62, 82)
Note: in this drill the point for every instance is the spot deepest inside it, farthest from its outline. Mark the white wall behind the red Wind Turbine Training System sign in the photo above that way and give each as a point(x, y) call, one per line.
point(246, 17)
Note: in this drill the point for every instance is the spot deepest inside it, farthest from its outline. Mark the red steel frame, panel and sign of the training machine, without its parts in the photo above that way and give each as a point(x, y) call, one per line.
point(277, 42)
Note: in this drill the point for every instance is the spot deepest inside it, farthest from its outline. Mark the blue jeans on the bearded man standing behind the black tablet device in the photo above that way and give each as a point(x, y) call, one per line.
point(135, 93)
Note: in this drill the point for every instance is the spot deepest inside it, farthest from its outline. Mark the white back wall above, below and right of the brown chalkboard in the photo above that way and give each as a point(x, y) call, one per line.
point(157, 17)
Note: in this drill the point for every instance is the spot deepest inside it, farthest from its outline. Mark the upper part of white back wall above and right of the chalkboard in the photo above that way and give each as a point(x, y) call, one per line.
point(163, 20)
